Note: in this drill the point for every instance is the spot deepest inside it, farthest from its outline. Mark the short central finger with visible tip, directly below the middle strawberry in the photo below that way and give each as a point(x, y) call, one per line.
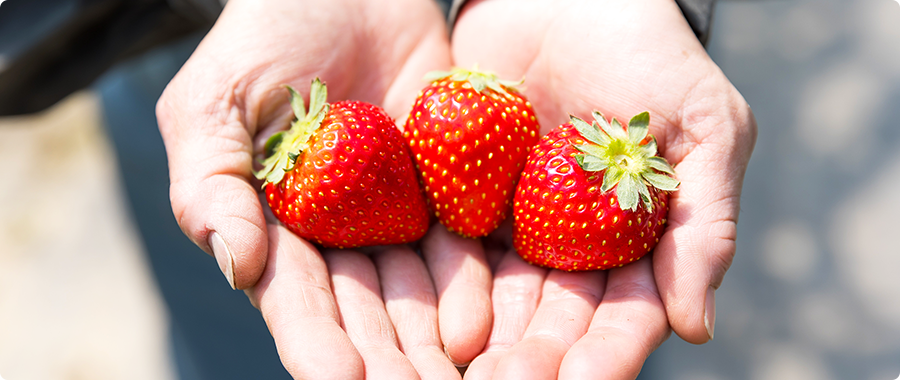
point(462, 279)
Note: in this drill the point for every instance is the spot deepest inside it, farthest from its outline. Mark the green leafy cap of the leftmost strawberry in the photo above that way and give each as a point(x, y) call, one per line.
point(283, 148)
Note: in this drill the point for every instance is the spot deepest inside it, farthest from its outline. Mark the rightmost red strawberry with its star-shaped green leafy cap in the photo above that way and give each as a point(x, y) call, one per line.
point(592, 197)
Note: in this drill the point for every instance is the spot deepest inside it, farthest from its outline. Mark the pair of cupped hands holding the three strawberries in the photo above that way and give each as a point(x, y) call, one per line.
point(345, 315)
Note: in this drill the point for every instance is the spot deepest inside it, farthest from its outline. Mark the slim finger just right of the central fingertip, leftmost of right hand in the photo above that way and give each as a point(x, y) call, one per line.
point(515, 296)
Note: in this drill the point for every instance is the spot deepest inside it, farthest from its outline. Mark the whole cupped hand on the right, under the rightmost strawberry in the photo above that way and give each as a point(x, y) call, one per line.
point(620, 57)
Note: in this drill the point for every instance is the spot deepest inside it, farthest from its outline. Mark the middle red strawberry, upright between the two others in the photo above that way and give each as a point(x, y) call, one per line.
point(470, 134)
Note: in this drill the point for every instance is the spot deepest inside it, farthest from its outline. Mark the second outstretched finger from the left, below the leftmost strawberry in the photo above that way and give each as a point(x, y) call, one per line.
point(358, 297)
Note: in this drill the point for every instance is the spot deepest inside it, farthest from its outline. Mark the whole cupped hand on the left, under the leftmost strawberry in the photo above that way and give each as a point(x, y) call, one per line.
point(219, 110)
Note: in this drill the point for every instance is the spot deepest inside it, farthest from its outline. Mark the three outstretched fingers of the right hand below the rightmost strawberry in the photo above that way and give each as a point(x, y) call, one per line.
point(570, 325)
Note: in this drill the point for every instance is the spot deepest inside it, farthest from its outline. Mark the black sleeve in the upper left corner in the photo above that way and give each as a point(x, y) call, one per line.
point(51, 48)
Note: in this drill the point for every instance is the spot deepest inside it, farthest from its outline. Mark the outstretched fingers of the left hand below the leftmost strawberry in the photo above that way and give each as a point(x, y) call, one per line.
point(350, 316)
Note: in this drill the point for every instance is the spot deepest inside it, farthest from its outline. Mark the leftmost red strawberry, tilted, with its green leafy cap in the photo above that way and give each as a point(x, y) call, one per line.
point(342, 176)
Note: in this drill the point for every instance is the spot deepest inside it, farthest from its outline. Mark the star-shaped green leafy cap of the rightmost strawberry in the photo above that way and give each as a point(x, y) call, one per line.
point(628, 157)
